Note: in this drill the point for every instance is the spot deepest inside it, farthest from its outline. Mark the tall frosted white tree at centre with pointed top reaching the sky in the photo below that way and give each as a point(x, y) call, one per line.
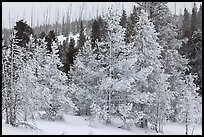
point(112, 67)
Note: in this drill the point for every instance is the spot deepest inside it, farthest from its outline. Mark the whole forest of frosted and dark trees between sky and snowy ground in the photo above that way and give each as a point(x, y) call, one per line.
point(143, 69)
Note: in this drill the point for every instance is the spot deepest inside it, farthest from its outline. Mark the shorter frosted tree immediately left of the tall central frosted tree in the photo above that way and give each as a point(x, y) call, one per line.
point(83, 79)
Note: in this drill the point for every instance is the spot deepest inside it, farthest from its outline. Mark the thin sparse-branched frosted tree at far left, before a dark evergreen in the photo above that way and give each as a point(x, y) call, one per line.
point(15, 60)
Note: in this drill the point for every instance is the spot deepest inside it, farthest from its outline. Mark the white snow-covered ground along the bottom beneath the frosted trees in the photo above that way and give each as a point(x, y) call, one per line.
point(77, 125)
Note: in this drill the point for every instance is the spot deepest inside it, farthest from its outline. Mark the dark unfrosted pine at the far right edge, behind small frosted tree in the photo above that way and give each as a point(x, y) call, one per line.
point(192, 49)
